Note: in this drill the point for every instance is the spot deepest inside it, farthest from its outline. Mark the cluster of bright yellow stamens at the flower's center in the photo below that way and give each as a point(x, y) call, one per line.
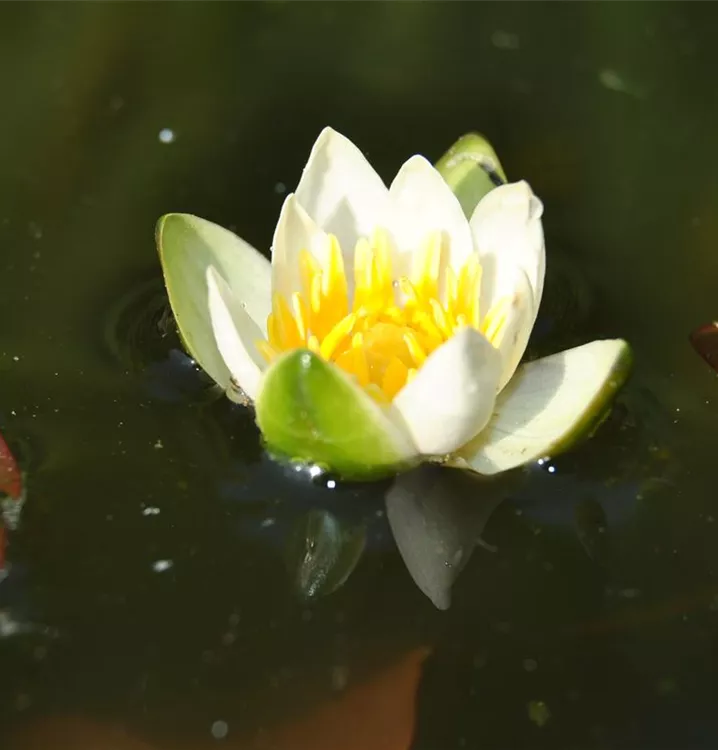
point(383, 333)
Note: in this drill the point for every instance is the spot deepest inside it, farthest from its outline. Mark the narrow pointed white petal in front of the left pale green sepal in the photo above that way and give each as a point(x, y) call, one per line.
point(235, 333)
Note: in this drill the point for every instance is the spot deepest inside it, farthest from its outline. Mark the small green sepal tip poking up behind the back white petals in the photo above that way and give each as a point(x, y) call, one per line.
point(471, 169)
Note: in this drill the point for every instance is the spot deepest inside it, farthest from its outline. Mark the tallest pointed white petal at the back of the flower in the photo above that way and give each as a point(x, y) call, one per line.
point(340, 190)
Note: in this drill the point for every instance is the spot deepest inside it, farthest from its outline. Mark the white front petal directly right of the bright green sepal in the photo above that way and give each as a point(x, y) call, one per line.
point(452, 396)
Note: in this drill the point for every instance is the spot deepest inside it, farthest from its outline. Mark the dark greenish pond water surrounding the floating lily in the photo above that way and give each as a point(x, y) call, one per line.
point(153, 578)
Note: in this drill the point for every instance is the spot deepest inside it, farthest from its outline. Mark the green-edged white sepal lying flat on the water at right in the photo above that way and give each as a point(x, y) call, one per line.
point(548, 405)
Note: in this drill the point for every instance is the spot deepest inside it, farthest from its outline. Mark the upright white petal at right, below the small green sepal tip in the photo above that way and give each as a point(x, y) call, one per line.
point(508, 234)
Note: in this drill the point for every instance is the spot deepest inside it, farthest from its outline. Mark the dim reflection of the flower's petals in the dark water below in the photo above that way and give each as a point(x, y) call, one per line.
point(435, 515)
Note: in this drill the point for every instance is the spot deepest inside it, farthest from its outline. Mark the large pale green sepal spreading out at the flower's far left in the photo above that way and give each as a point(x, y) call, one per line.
point(188, 246)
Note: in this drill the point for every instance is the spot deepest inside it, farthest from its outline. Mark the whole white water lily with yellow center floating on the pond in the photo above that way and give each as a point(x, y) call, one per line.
point(389, 326)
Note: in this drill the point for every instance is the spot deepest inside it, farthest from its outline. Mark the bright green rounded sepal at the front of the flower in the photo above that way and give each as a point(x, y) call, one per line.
point(309, 410)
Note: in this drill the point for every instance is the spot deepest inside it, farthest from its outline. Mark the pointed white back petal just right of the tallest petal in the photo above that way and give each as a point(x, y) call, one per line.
point(422, 202)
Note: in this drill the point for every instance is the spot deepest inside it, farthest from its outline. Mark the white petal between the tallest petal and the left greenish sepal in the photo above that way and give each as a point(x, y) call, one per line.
point(295, 231)
